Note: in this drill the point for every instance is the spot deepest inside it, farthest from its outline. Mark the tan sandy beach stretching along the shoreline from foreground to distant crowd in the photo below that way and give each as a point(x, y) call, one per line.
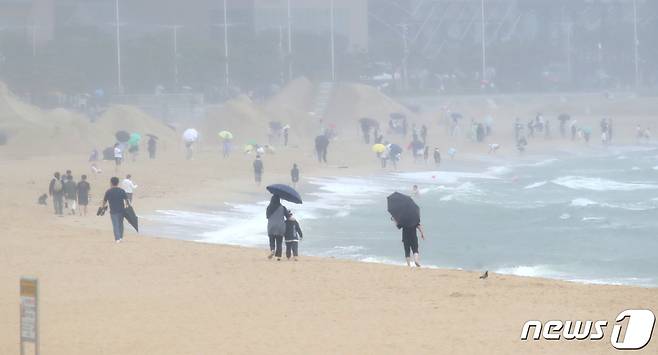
point(159, 296)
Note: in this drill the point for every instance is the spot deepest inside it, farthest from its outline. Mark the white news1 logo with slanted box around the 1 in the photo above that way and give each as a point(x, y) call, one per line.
point(637, 332)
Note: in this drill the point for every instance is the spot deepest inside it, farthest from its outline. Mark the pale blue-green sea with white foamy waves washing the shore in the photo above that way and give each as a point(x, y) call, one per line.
point(589, 218)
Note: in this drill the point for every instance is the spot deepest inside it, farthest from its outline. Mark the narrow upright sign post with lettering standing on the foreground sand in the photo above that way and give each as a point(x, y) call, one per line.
point(29, 313)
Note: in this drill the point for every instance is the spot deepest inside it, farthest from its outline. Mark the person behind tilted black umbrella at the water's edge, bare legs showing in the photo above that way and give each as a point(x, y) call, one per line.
point(406, 215)
